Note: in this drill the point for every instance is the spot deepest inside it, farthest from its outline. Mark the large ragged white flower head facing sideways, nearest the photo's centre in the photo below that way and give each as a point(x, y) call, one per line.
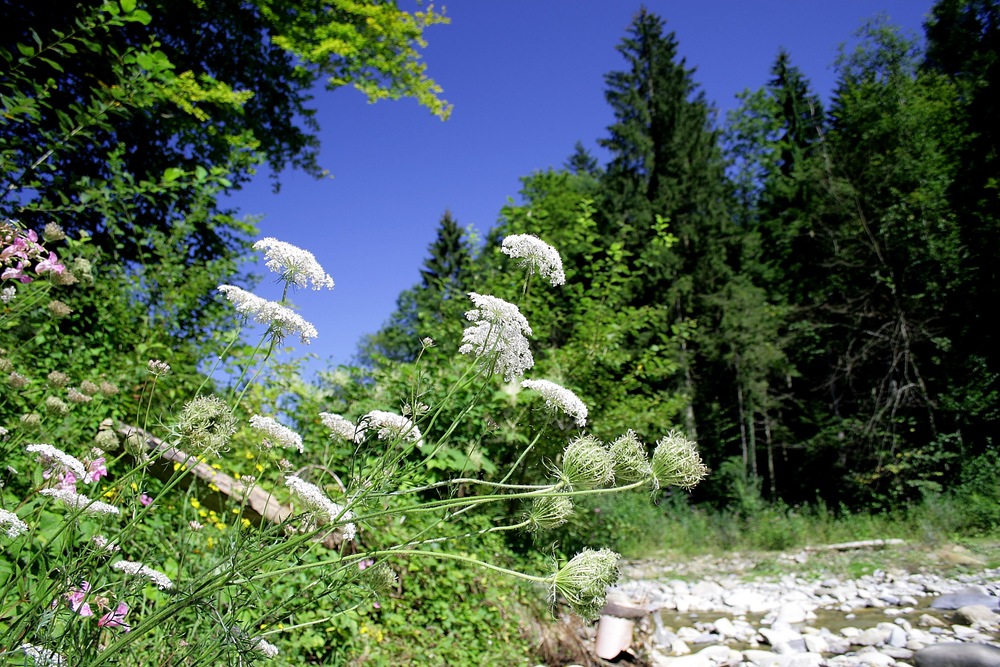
point(498, 336)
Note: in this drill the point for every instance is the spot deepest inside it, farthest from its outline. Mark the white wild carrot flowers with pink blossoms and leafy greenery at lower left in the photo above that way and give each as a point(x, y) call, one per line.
point(110, 555)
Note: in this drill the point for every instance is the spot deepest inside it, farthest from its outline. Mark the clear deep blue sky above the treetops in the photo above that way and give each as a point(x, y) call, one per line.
point(526, 78)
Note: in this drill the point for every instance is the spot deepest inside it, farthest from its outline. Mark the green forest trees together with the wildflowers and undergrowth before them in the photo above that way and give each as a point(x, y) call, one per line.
point(777, 314)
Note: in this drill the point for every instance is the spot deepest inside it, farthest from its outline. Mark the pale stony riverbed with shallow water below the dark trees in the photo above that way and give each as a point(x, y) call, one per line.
point(871, 607)
